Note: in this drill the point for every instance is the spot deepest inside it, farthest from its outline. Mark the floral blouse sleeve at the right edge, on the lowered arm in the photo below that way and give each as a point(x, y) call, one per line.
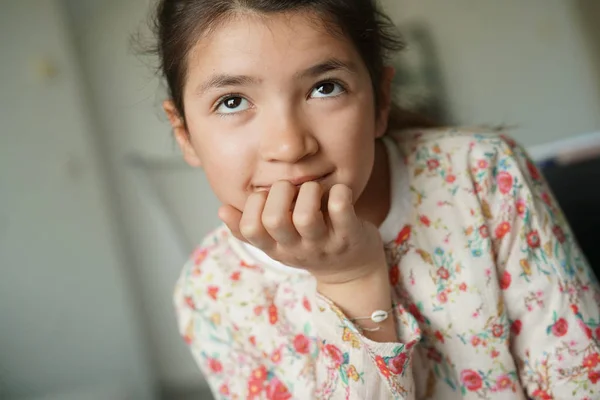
point(551, 295)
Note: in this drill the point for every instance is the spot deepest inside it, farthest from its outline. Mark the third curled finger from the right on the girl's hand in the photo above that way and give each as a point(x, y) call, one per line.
point(277, 214)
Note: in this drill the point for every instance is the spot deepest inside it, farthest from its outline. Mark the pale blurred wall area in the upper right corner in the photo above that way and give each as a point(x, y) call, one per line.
point(514, 62)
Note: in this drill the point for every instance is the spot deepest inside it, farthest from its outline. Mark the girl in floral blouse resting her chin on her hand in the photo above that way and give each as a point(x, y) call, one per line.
point(363, 256)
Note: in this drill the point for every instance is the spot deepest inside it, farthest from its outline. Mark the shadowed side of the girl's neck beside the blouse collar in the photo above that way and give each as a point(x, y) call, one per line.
point(374, 204)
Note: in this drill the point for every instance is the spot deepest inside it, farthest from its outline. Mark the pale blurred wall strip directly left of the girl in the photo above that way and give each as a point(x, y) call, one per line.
point(126, 101)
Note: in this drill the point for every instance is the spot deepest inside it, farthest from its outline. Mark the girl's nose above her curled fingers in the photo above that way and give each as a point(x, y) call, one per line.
point(288, 138)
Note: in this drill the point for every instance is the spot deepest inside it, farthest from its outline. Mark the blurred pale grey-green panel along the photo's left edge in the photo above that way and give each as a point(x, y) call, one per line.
point(68, 327)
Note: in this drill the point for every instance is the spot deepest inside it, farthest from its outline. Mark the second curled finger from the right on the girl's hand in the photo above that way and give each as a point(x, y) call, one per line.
point(307, 216)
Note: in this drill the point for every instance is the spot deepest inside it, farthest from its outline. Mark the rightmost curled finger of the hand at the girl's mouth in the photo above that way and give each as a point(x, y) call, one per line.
point(341, 211)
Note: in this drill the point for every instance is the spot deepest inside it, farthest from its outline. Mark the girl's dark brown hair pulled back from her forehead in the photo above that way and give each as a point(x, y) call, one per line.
point(178, 24)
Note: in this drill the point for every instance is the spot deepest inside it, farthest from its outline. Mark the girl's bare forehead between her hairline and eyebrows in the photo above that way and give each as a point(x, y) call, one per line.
point(266, 43)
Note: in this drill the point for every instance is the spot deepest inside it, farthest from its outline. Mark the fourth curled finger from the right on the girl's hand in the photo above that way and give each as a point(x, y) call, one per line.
point(251, 226)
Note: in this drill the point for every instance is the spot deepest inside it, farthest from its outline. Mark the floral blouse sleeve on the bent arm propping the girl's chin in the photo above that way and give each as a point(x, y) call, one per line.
point(319, 353)
